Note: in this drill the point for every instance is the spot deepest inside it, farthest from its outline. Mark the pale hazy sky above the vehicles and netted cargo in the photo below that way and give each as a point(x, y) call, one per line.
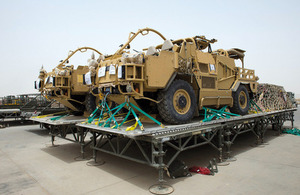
point(36, 32)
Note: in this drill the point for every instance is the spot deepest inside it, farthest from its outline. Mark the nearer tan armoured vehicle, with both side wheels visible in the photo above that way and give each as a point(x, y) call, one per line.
point(178, 78)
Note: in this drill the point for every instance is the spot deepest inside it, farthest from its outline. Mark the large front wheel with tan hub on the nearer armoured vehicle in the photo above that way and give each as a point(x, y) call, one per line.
point(178, 103)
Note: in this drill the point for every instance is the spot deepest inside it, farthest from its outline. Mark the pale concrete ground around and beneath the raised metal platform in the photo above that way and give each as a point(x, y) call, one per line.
point(30, 165)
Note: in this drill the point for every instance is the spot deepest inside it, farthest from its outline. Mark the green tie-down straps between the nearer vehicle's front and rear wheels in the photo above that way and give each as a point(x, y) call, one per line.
point(210, 114)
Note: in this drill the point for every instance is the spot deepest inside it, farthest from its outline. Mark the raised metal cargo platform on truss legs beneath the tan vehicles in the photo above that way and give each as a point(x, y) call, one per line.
point(159, 147)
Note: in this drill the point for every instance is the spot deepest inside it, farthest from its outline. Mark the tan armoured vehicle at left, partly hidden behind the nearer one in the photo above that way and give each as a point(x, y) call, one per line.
point(72, 87)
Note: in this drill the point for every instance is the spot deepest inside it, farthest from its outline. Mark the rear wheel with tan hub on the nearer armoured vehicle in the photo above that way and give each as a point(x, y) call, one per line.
point(241, 101)
